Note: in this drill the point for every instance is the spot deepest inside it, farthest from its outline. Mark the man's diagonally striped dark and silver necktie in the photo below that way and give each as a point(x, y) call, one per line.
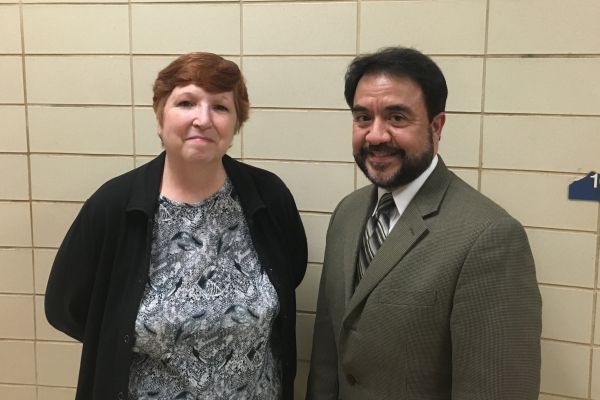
point(375, 232)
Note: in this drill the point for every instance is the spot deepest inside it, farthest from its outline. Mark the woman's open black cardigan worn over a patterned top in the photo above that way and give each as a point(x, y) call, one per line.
point(99, 274)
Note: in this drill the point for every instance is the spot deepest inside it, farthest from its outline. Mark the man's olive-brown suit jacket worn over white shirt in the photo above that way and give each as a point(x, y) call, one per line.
point(449, 307)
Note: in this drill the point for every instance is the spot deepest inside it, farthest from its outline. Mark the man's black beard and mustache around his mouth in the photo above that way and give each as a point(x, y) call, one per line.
point(411, 167)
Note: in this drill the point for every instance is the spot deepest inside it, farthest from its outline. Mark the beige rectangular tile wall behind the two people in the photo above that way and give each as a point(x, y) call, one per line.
point(523, 122)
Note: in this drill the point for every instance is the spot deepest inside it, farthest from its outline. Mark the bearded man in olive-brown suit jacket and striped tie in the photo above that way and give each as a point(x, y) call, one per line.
point(433, 294)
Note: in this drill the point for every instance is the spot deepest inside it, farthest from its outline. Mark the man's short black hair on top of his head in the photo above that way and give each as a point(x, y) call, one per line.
point(404, 63)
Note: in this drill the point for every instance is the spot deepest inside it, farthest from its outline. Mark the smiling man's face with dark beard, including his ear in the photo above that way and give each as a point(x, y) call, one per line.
point(392, 139)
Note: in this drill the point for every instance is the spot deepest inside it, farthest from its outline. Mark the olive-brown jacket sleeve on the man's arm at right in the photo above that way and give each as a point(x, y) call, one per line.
point(496, 319)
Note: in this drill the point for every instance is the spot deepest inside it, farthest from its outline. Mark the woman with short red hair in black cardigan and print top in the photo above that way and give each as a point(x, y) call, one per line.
point(179, 276)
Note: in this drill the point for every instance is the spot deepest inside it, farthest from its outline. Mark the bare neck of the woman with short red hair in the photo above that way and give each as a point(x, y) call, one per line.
point(191, 183)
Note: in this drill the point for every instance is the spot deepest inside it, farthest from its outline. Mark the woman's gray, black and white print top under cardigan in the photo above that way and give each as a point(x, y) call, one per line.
point(204, 324)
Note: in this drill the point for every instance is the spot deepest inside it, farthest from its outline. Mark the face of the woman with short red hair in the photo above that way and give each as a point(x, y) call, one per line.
point(198, 126)
